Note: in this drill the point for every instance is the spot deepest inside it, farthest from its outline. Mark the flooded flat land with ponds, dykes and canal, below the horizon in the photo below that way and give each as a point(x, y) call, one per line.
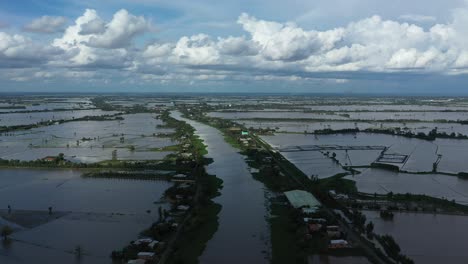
point(359, 156)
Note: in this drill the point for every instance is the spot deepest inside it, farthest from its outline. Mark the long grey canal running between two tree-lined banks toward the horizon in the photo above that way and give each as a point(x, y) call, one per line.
point(243, 232)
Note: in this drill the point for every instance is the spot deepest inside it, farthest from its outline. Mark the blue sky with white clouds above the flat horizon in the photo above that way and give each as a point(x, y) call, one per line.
point(302, 46)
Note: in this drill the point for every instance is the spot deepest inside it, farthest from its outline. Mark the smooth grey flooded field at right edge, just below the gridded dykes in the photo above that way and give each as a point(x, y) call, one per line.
point(437, 185)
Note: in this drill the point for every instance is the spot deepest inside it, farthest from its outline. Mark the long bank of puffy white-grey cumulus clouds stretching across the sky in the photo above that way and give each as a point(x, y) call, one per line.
point(369, 46)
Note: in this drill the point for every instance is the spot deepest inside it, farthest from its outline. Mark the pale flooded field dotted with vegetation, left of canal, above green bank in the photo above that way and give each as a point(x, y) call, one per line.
point(133, 138)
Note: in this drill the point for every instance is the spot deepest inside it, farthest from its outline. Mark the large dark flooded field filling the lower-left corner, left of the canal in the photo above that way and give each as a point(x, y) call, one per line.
point(100, 215)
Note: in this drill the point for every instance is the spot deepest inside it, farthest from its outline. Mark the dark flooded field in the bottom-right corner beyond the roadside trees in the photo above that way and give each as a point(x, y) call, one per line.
point(426, 238)
